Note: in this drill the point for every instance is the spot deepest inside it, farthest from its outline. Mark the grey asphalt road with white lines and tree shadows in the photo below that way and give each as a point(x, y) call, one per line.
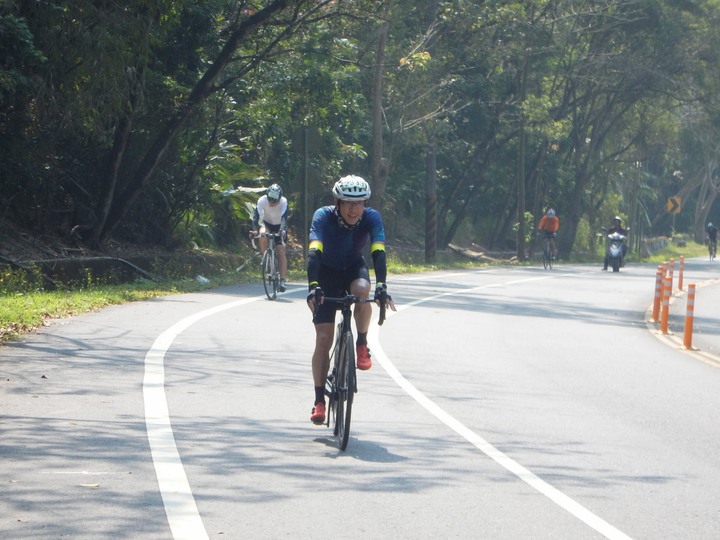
point(503, 403)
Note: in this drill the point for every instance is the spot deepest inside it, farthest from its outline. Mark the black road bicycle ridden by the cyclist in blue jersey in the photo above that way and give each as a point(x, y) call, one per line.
point(341, 384)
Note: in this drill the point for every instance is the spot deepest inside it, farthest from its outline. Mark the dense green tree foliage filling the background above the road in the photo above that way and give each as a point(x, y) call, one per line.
point(472, 81)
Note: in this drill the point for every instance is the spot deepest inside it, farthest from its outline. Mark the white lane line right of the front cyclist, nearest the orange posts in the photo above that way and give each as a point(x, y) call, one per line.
point(554, 494)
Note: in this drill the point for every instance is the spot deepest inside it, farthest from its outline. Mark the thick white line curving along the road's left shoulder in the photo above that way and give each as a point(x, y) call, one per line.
point(182, 512)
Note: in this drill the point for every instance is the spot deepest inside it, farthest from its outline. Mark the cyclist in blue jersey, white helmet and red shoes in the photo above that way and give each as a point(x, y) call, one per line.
point(335, 267)
